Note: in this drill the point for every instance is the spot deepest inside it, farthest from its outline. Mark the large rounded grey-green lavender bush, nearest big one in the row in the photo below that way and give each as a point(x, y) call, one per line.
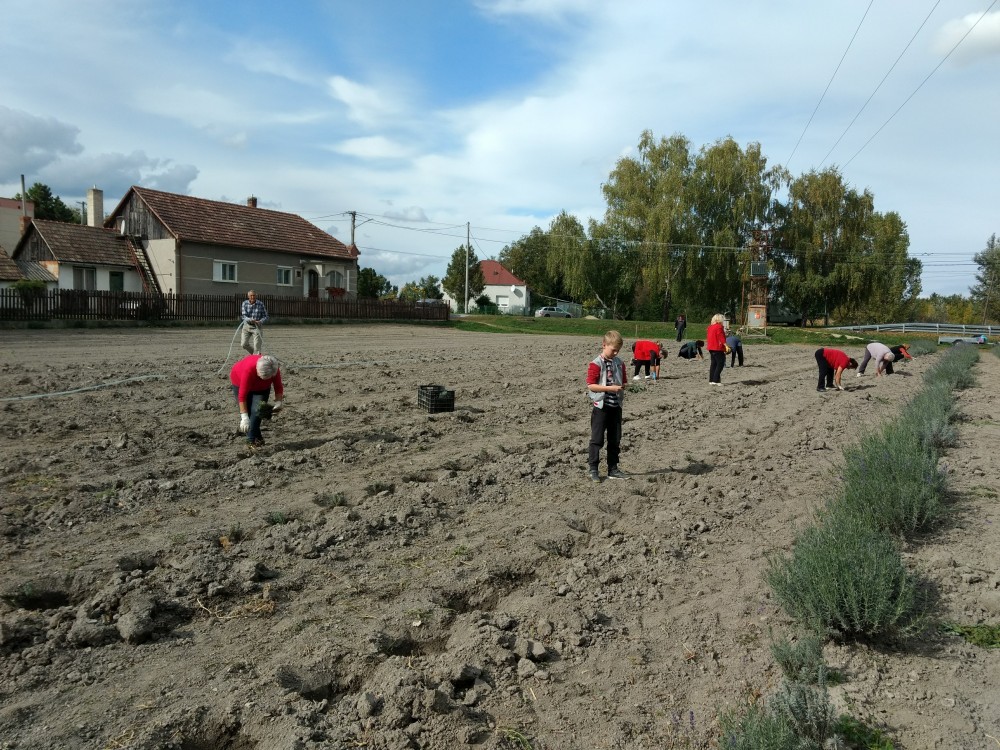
point(846, 579)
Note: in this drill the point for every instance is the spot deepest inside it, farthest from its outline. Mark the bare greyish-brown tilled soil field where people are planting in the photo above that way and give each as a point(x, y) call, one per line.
point(381, 577)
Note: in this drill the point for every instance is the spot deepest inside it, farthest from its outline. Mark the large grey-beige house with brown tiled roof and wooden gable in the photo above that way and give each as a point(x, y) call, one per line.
point(199, 246)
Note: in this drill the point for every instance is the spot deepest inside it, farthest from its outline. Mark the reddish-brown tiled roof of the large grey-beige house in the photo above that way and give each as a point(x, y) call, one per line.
point(234, 225)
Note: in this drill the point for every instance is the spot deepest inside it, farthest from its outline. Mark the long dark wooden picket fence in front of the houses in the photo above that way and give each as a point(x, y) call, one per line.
point(76, 304)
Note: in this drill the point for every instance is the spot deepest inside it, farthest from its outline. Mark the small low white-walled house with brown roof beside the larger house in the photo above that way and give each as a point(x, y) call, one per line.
point(80, 257)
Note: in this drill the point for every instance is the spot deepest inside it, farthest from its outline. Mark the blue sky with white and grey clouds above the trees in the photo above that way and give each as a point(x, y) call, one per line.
point(432, 120)
